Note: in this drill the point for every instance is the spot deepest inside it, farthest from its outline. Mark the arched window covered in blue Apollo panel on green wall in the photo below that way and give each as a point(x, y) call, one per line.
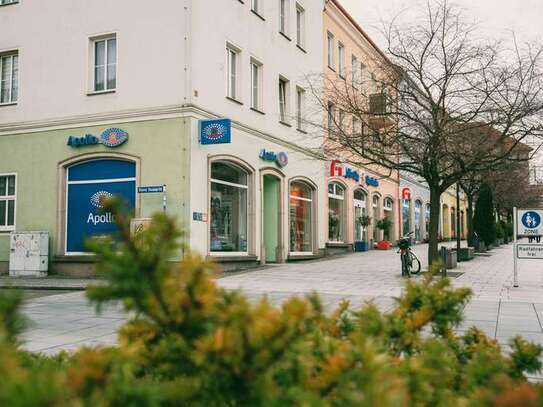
point(88, 184)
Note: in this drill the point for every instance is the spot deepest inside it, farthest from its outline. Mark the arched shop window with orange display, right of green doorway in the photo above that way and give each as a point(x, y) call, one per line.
point(301, 217)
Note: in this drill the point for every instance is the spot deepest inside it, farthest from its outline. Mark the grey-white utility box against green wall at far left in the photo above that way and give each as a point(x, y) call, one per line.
point(29, 254)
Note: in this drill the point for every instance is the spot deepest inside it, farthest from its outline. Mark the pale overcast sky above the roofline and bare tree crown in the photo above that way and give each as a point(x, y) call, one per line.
point(495, 17)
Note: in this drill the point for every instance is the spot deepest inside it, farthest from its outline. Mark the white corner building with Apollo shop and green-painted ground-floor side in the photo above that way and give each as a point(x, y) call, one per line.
point(105, 97)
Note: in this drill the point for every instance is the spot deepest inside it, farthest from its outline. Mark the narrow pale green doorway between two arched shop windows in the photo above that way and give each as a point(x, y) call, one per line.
point(272, 218)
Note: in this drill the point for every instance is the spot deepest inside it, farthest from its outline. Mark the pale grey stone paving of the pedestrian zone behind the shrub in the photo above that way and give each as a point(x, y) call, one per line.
point(66, 321)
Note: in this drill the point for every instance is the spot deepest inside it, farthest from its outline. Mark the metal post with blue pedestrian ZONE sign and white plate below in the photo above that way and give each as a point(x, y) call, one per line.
point(526, 223)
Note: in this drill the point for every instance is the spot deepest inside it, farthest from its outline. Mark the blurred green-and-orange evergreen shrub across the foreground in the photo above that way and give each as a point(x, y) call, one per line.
point(189, 342)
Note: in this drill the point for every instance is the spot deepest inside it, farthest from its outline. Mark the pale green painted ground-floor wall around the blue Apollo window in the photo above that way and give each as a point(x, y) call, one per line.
point(162, 146)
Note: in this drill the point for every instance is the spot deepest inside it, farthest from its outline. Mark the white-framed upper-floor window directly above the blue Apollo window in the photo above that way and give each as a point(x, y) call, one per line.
point(105, 64)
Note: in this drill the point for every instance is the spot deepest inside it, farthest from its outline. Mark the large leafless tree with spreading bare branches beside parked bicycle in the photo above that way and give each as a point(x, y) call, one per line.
point(439, 103)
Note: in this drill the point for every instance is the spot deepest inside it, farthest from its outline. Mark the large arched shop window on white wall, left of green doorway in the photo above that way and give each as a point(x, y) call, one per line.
point(228, 208)
